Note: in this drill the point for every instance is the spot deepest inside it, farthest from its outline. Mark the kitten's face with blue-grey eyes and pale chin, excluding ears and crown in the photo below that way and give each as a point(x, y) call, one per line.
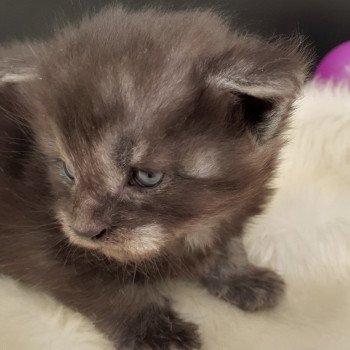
point(133, 182)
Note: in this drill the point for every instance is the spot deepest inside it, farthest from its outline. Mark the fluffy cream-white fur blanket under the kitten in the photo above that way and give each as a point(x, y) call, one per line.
point(304, 234)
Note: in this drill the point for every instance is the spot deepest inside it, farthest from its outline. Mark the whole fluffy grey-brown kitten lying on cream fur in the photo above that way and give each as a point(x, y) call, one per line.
point(134, 148)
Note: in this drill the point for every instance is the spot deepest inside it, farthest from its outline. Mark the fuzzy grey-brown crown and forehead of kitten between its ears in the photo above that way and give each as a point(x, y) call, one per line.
point(144, 74)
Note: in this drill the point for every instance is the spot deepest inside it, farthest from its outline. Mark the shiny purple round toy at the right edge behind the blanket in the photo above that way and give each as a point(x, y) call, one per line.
point(335, 66)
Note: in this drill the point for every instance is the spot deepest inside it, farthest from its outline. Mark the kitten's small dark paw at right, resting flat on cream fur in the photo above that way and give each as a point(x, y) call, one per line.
point(258, 289)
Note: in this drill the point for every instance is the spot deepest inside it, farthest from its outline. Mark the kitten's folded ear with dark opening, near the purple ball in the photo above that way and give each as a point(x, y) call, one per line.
point(260, 81)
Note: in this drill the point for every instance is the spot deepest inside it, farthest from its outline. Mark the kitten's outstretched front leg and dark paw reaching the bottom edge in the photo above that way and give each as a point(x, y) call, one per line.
point(134, 317)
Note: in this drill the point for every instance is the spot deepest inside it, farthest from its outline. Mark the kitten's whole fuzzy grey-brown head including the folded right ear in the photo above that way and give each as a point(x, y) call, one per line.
point(157, 128)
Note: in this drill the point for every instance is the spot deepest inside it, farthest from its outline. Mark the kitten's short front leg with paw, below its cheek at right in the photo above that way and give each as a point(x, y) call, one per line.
point(232, 278)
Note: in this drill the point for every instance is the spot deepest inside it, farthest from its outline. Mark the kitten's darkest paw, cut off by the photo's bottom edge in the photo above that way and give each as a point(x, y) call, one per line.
point(162, 329)
